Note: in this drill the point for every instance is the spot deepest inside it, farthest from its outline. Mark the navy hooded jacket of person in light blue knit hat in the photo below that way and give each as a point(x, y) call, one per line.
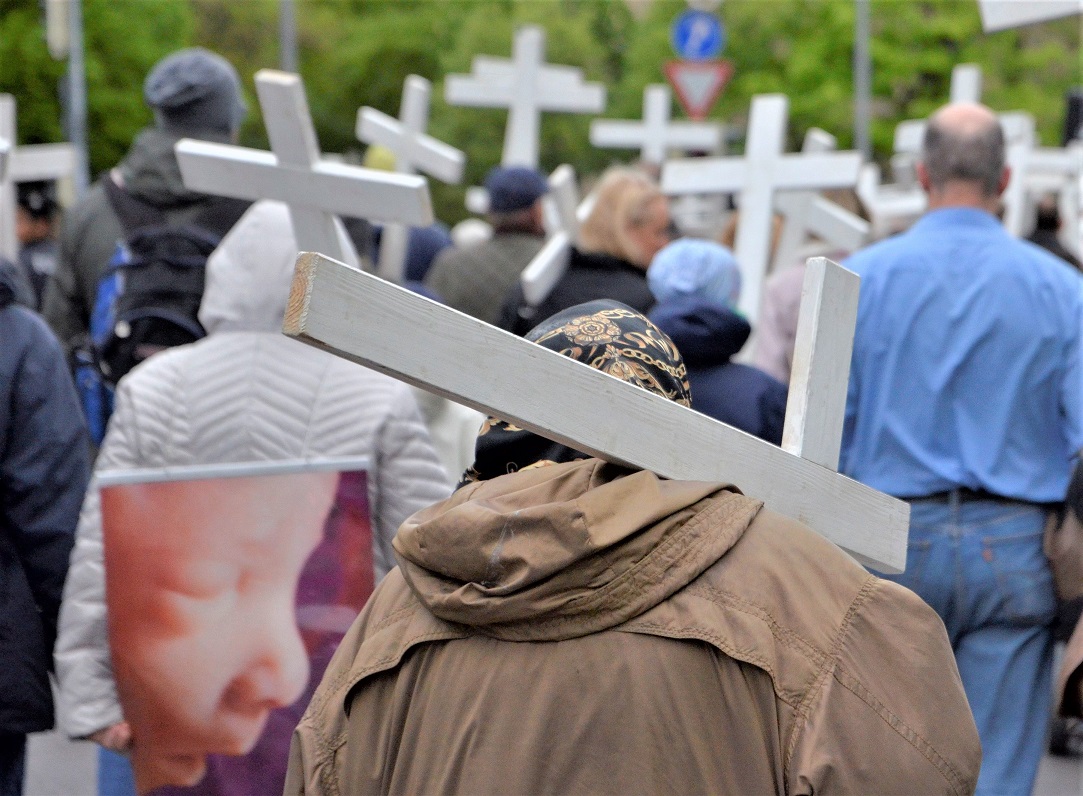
point(708, 336)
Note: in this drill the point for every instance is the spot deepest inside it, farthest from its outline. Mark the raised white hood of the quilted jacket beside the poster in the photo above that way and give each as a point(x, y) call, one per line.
point(250, 275)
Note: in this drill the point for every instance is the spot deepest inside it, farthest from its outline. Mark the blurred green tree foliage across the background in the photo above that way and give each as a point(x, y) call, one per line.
point(359, 53)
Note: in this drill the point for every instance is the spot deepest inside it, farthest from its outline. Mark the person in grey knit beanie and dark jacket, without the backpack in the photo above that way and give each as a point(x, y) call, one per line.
point(194, 94)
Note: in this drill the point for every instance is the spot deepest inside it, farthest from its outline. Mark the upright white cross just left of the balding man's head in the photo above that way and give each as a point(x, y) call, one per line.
point(763, 171)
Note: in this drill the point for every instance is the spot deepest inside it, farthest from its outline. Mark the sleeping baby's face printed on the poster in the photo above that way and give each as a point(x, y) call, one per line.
point(202, 580)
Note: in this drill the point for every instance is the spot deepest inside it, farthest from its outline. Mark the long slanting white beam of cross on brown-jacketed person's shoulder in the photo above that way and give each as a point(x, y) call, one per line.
point(380, 325)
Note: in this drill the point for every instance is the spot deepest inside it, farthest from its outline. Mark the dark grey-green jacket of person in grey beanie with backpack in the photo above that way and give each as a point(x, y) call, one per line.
point(90, 230)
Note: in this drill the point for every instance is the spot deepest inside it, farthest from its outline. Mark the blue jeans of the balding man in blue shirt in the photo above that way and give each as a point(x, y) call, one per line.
point(982, 568)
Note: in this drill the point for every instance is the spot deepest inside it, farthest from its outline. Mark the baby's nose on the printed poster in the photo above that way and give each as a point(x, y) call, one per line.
point(276, 676)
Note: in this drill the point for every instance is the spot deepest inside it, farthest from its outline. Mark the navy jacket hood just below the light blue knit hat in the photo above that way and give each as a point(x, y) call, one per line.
point(706, 333)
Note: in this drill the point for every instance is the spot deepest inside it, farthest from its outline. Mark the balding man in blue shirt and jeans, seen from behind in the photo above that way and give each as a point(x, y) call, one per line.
point(967, 400)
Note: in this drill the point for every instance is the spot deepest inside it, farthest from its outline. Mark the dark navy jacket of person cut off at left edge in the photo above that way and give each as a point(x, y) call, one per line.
point(45, 465)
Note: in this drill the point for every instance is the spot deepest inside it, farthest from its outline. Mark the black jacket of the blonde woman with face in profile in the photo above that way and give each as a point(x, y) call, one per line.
point(591, 277)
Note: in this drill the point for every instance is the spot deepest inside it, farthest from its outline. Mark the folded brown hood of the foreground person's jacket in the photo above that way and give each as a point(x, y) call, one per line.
point(565, 551)
